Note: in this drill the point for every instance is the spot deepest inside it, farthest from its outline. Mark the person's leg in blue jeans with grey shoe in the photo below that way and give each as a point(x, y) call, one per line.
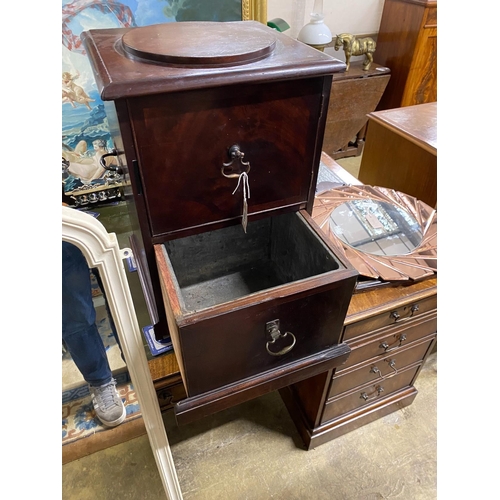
point(82, 338)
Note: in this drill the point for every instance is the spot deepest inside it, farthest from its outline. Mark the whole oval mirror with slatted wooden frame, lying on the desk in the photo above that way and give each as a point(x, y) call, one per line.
point(385, 234)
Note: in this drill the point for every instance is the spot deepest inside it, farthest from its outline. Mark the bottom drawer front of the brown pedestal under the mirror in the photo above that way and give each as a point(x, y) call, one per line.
point(369, 393)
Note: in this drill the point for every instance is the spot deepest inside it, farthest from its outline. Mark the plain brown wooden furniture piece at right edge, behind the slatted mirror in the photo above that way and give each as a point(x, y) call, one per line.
point(401, 151)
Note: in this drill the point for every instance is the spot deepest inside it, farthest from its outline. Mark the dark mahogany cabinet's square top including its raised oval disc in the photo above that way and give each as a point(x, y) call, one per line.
point(171, 57)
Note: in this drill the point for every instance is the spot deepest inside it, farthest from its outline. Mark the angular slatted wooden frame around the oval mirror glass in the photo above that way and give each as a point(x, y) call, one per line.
point(419, 263)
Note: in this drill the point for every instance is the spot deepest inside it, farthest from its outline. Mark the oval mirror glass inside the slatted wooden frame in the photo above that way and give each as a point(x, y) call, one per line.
point(376, 227)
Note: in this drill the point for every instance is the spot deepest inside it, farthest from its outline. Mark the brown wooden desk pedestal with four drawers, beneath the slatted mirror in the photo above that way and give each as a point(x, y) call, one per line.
point(390, 331)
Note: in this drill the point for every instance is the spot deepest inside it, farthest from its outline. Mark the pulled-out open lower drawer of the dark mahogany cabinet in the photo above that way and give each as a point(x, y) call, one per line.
point(240, 305)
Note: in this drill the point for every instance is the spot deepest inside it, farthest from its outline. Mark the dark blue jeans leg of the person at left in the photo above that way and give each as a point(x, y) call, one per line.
point(79, 330)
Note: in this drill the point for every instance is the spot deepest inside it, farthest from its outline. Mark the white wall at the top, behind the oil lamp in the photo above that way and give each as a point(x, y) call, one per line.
point(341, 16)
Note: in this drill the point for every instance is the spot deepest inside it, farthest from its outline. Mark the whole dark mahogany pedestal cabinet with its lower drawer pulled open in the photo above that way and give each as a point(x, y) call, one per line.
point(221, 126)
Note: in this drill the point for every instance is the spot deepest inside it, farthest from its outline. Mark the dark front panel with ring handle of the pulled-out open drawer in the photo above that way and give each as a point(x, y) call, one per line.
point(229, 348)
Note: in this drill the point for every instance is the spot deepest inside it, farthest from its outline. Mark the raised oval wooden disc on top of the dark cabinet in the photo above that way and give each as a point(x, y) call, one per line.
point(180, 44)
